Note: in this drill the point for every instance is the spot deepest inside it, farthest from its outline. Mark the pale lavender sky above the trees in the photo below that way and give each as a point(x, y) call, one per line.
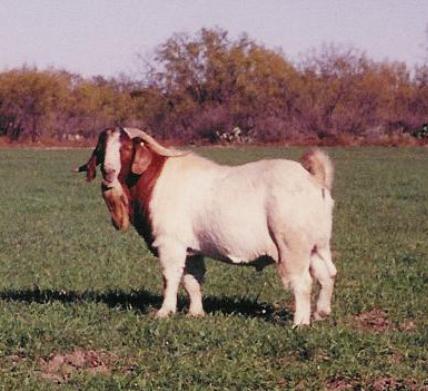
point(106, 37)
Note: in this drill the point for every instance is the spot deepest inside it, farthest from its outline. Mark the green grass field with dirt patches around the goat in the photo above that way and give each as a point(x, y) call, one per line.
point(77, 298)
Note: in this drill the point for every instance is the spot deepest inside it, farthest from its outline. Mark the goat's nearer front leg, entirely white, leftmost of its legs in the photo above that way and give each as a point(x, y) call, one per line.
point(172, 259)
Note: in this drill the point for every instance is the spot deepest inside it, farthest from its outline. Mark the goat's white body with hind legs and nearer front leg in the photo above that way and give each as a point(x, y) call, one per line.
point(238, 214)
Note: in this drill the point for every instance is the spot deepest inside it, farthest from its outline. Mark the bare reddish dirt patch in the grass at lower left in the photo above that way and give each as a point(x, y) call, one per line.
point(59, 367)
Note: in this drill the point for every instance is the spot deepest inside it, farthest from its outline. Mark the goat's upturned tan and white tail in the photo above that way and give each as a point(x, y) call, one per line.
point(320, 166)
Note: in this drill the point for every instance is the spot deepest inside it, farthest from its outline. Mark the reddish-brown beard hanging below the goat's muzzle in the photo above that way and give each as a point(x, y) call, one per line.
point(118, 205)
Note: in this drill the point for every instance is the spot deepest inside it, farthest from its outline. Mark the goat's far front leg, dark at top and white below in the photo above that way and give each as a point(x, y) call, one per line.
point(193, 278)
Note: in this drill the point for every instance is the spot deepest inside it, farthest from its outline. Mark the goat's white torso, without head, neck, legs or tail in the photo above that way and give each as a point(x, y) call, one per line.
point(229, 212)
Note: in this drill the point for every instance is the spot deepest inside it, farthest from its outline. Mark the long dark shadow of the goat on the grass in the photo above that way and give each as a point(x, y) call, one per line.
point(145, 301)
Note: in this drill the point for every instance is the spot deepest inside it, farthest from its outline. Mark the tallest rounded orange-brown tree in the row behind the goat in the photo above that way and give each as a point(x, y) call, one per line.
point(209, 83)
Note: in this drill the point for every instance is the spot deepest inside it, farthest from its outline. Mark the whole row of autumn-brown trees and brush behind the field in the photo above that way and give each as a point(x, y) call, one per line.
point(210, 88)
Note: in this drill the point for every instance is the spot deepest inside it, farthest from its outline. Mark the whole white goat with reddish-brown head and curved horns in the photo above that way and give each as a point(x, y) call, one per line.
point(187, 207)
